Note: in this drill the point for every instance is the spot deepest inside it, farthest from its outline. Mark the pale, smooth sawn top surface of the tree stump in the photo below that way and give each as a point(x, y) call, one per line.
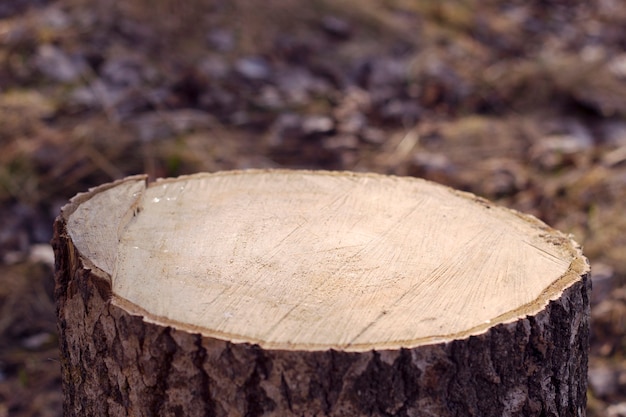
point(319, 260)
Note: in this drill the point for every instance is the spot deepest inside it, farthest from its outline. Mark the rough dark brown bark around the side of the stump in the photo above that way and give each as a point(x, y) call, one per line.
point(116, 364)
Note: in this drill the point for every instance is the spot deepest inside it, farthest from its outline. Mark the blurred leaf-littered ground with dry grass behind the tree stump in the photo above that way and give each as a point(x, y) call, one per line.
point(522, 102)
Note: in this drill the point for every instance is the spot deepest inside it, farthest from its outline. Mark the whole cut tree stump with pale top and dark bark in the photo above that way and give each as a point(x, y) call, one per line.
point(298, 293)
